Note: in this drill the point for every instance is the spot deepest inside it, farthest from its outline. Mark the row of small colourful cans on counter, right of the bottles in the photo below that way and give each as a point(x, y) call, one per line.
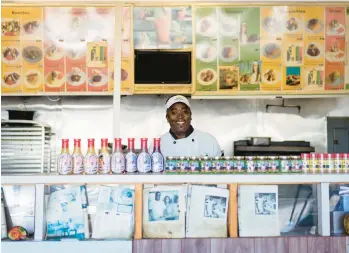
point(306, 163)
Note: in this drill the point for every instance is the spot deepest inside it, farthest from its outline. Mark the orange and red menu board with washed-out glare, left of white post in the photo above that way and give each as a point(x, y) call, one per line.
point(57, 49)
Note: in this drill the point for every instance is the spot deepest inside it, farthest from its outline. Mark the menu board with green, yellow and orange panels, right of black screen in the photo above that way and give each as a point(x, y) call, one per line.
point(270, 49)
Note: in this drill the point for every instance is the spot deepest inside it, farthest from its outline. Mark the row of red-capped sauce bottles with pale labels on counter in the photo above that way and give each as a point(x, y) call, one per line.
point(104, 163)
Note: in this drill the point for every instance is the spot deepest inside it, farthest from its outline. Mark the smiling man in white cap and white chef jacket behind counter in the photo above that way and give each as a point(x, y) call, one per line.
point(183, 139)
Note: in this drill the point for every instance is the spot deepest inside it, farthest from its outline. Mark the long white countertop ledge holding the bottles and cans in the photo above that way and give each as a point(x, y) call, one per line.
point(176, 178)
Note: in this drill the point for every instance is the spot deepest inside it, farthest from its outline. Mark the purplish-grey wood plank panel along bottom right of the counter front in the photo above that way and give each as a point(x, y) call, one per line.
point(243, 245)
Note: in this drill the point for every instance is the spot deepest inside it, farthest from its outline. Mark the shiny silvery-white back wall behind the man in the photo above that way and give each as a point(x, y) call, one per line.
point(144, 116)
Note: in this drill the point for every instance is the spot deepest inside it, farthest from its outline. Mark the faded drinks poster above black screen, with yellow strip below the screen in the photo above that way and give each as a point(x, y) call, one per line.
point(168, 28)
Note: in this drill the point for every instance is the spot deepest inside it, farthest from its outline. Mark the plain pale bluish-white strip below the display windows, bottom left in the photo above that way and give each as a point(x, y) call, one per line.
point(90, 246)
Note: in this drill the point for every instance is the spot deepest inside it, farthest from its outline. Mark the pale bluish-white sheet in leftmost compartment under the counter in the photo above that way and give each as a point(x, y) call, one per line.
point(20, 205)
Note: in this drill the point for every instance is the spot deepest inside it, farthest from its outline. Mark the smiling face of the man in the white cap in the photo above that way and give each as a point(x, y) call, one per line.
point(179, 118)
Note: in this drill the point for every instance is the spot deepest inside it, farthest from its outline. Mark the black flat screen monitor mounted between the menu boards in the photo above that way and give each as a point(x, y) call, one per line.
point(162, 67)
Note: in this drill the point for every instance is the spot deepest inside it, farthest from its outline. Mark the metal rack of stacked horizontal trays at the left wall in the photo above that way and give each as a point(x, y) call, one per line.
point(25, 147)
